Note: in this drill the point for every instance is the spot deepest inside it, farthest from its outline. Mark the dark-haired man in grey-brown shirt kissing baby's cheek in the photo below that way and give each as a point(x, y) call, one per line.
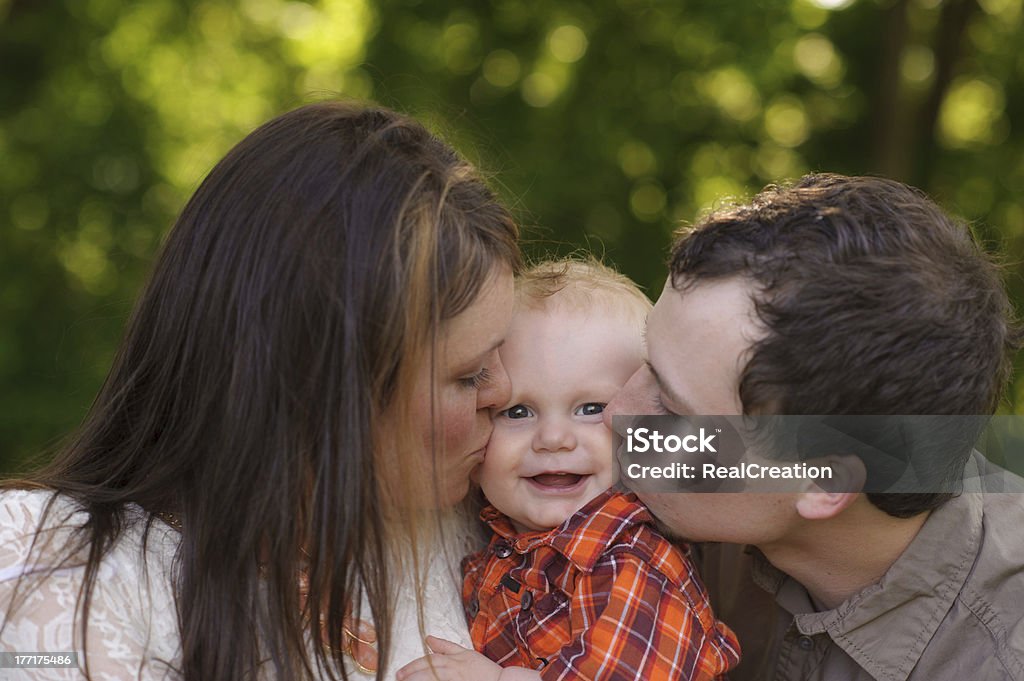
point(843, 296)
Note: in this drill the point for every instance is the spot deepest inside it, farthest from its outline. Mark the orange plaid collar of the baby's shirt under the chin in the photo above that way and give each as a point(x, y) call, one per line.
point(585, 536)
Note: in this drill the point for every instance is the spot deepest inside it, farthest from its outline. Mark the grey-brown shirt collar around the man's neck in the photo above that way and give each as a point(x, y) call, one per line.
point(906, 608)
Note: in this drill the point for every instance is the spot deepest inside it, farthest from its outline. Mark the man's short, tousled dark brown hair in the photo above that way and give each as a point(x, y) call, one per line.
point(875, 302)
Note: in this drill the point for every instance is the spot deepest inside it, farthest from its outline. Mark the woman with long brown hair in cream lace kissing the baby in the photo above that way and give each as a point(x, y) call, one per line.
point(302, 395)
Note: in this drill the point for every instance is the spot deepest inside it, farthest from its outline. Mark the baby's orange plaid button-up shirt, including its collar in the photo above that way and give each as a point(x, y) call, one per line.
point(604, 597)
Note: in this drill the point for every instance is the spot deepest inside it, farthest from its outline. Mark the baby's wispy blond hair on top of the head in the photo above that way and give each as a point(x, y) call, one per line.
point(579, 283)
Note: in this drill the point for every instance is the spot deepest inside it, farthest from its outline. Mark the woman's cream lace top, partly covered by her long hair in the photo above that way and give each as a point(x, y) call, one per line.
point(133, 625)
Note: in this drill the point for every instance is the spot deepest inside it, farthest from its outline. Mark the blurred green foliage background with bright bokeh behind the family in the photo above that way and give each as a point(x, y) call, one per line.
point(606, 124)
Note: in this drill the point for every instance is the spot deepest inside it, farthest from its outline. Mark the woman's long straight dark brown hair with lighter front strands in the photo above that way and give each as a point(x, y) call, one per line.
point(302, 286)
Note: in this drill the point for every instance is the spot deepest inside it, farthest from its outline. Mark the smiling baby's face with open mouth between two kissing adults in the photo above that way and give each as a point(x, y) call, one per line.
point(550, 453)
